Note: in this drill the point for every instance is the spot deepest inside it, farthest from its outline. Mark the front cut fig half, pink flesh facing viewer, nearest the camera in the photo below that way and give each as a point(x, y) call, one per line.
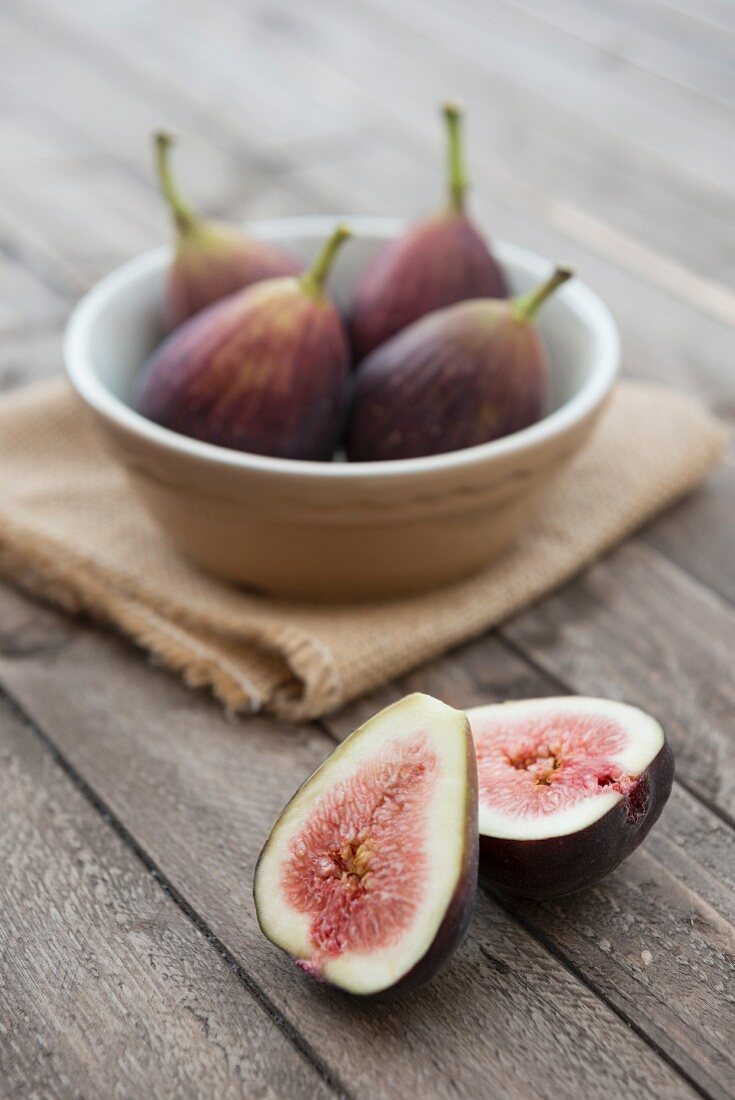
point(369, 877)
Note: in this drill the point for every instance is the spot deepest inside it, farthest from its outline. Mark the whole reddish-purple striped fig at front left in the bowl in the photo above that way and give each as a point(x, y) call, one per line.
point(264, 371)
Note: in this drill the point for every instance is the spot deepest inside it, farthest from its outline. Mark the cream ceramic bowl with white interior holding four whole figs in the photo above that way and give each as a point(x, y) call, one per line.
point(337, 531)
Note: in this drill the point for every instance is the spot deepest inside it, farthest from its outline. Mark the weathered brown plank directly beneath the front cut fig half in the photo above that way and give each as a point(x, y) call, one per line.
point(200, 794)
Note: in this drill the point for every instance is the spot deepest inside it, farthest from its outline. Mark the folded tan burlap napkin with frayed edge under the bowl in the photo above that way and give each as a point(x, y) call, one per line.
point(72, 532)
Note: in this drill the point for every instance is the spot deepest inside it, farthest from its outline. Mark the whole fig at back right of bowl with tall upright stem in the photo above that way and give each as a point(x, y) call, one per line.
point(441, 261)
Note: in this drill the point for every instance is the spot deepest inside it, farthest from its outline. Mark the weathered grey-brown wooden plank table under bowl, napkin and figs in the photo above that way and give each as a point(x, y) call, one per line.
point(131, 809)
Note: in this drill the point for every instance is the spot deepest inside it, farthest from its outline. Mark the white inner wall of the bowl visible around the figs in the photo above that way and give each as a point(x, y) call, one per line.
point(123, 321)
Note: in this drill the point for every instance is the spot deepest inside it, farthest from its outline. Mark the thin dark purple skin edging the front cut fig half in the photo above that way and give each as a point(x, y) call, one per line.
point(457, 918)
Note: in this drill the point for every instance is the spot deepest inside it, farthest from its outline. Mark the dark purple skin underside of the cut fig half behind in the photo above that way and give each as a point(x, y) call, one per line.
point(557, 866)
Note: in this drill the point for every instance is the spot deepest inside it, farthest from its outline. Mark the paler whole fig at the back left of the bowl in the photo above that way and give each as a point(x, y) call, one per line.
point(211, 260)
